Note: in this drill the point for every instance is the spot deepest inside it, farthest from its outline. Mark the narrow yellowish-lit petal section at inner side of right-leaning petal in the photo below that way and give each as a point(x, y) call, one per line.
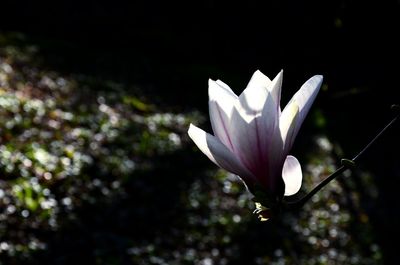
point(287, 125)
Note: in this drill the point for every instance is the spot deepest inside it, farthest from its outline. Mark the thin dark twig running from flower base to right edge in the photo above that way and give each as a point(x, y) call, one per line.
point(346, 164)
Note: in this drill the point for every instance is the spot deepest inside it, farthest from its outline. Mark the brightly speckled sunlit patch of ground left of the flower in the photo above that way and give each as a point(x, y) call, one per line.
point(62, 147)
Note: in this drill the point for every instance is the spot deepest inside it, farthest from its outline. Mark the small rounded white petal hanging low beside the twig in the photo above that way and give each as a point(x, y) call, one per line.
point(292, 176)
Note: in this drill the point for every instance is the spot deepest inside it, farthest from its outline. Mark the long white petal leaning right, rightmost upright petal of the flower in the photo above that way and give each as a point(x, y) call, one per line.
point(304, 99)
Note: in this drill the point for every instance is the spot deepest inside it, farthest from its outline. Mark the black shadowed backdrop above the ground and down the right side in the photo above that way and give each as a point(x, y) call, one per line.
point(170, 48)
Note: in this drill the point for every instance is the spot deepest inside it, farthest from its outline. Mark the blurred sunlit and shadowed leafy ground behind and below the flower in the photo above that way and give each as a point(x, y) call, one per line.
point(94, 174)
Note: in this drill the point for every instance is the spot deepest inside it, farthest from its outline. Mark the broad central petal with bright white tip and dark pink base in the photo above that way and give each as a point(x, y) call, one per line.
point(253, 119)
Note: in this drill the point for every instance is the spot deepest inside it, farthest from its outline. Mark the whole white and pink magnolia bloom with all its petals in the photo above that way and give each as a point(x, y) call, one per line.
point(252, 136)
